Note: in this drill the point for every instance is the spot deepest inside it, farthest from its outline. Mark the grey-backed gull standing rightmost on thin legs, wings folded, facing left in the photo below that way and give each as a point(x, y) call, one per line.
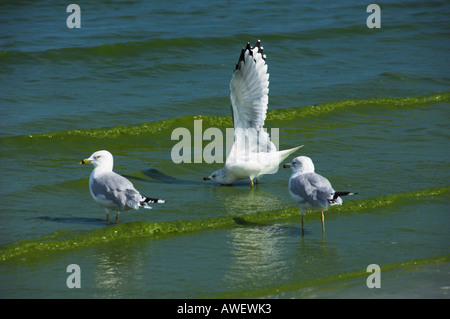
point(309, 189)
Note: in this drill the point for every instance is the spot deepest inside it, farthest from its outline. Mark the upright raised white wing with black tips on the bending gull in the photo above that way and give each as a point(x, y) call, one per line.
point(249, 89)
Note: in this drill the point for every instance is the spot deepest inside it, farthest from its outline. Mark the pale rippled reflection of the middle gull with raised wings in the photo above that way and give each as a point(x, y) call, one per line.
point(255, 247)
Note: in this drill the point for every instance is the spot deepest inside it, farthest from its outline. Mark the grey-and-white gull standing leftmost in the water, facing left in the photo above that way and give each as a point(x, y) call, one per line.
point(111, 190)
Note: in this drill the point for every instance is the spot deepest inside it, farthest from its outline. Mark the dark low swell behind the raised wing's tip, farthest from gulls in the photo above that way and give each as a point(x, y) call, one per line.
point(131, 44)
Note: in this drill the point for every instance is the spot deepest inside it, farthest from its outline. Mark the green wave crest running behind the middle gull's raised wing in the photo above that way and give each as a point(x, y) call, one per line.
point(273, 117)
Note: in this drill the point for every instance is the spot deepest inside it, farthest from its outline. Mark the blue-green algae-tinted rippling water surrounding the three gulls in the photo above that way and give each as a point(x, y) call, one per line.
point(370, 106)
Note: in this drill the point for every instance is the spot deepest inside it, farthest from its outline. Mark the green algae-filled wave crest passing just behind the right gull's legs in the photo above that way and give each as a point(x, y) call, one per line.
point(66, 240)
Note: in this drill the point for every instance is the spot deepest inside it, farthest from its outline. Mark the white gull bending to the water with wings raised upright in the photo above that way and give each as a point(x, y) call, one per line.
point(252, 154)
